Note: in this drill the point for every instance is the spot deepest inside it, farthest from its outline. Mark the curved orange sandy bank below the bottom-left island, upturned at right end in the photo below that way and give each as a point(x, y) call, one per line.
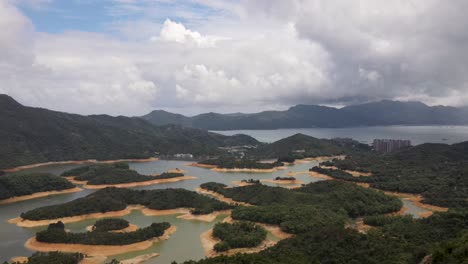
point(96, 250)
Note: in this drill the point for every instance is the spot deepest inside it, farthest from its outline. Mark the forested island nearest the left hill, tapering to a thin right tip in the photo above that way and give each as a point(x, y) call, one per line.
point(112, 174)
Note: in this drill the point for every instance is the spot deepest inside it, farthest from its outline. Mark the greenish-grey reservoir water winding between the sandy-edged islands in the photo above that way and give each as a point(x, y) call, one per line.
point(183, 245)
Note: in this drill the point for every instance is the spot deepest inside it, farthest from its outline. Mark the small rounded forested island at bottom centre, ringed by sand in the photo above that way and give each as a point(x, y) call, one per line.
point(238, 235)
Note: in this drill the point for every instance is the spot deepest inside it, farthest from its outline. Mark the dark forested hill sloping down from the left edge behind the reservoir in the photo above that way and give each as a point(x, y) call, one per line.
point(34, 135)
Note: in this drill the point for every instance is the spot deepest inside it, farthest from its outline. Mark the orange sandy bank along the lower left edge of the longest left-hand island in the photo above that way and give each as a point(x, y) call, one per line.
point(29, 223)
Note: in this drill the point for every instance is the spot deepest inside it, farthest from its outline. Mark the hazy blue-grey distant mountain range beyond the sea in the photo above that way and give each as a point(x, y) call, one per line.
point(381, 113)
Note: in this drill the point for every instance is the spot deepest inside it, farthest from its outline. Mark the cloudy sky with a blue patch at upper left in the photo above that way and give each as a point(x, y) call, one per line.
point(129, 57)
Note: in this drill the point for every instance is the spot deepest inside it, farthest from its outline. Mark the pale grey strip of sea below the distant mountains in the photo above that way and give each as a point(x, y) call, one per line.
point(417, 134)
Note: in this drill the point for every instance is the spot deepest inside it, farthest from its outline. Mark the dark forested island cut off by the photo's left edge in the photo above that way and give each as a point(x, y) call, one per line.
point(22, 184)
